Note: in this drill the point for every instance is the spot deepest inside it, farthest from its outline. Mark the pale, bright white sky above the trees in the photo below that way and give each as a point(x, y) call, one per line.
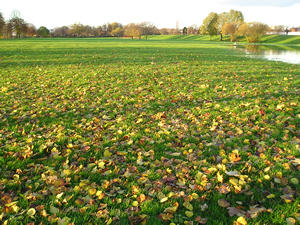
point(162, 13)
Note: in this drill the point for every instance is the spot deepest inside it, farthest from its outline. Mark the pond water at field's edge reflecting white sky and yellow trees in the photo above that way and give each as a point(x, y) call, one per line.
point(275, 53)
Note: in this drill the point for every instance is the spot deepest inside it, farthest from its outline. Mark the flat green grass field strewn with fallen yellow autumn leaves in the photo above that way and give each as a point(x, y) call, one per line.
point(103, 131)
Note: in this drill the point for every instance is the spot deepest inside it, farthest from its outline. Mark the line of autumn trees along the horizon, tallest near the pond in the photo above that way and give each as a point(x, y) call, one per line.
point(227, 23)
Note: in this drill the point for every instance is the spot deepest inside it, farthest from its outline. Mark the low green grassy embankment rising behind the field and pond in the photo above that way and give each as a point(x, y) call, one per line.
point(270, 39)
